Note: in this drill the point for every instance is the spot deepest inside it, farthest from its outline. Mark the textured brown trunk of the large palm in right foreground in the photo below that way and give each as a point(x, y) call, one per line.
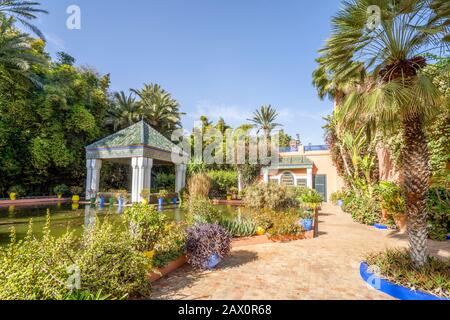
point(416, 184)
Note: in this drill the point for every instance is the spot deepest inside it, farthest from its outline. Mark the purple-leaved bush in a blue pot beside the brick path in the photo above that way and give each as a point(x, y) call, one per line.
point(205, 240)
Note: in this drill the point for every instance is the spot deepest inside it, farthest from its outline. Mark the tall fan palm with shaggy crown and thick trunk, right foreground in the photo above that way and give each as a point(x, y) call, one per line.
point(398, 94)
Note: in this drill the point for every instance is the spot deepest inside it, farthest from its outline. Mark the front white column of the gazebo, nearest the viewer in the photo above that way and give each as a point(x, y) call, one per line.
point(142, 169)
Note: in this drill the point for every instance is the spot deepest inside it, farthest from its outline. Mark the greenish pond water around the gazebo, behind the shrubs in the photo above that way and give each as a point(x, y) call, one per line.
point(74, 217)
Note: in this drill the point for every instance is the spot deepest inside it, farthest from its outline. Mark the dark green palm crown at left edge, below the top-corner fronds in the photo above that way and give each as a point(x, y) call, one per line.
point(16, 56)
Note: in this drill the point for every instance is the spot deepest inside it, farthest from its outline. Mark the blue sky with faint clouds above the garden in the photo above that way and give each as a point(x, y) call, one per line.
point(217, 57)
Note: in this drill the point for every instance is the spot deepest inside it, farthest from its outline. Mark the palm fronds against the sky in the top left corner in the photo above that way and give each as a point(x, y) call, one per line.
point(24, 12)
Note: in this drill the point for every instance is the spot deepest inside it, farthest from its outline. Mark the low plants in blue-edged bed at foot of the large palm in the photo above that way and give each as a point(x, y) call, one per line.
point(396, 266)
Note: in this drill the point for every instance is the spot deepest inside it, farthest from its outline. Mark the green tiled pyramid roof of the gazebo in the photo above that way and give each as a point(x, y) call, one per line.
point(139, 134)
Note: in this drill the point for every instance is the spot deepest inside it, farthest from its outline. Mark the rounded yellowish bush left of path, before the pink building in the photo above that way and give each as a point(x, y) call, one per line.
point(269, 196)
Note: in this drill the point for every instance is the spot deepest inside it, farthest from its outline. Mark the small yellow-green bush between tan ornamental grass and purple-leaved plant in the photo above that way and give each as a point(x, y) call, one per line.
point(202, 210)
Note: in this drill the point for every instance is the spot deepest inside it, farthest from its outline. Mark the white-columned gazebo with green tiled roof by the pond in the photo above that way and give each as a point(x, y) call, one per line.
point(139, 146)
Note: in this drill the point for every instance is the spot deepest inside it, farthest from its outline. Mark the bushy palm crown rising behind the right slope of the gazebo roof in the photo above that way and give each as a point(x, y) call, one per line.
point(159, 109)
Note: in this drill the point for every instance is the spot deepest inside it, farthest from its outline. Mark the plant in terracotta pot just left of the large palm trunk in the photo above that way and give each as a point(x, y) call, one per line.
point(393, 202)
